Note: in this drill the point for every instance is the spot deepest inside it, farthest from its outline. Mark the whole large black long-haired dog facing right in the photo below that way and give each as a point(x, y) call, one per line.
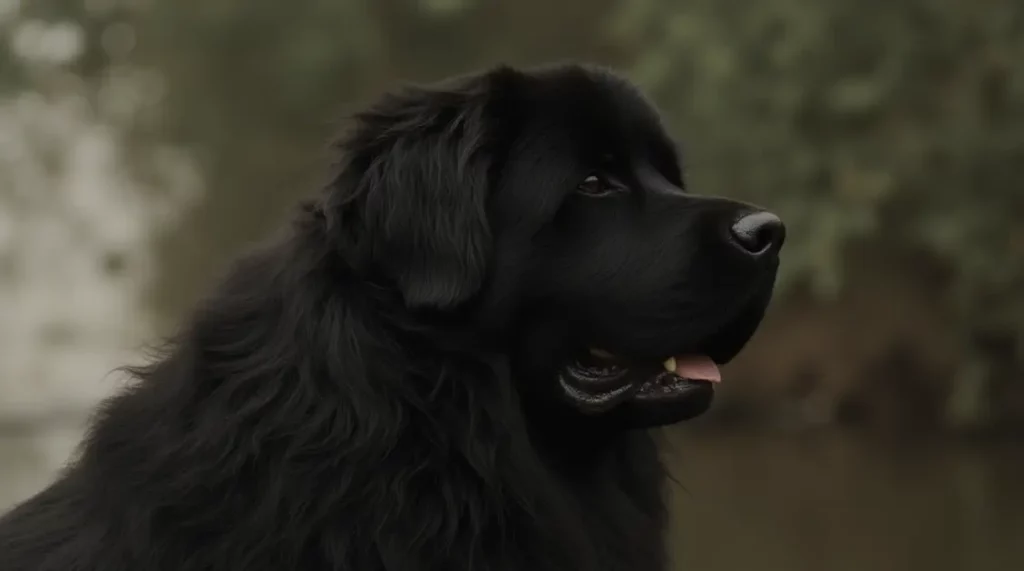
point(445, 365)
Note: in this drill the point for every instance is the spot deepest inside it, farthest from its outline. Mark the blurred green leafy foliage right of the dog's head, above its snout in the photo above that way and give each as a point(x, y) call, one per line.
point(897, 124)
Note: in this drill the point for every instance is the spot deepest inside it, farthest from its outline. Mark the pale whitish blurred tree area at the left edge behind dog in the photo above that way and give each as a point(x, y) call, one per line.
point(75, 226)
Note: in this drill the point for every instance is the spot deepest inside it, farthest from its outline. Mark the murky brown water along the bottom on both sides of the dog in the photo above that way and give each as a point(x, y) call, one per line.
point(815, 503)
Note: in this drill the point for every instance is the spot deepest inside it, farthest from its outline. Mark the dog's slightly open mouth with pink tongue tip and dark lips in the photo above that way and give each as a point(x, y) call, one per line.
point(600, 381)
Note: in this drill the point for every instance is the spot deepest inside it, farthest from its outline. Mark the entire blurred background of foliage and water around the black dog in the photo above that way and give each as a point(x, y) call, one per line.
point(875, 423)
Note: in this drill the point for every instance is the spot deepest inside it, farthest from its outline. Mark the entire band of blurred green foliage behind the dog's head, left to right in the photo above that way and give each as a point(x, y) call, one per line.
point(872, 127)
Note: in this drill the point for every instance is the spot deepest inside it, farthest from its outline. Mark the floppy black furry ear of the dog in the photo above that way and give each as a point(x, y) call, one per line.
point(412, 192)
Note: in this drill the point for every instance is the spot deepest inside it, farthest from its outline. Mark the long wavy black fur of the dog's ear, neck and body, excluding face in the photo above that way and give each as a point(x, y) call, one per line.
point(333, 405)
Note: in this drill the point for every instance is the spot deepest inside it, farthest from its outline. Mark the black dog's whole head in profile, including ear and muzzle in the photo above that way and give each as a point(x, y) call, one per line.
point(547, 210)
